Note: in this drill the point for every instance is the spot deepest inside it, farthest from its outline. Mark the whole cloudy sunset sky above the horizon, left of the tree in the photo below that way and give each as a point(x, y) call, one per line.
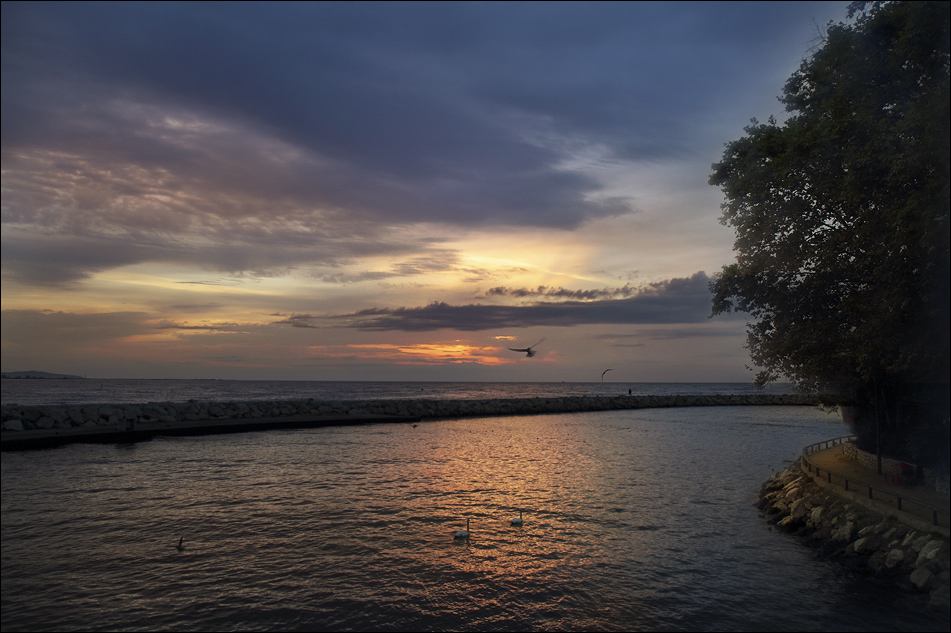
point(392, 191)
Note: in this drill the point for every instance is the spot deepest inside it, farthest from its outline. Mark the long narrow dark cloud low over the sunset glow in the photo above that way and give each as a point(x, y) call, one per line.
point(685, 300)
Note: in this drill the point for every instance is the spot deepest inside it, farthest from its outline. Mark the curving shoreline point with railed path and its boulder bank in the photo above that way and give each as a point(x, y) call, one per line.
point(865, 532)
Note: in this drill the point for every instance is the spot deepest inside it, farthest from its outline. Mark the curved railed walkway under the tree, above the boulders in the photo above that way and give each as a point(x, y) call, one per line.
point(915, 505)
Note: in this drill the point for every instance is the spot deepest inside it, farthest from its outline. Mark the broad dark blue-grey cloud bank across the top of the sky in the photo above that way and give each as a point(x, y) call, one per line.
point(427, 94)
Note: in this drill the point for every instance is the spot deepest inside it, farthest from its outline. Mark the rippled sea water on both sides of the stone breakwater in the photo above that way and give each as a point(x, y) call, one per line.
point(632, 520)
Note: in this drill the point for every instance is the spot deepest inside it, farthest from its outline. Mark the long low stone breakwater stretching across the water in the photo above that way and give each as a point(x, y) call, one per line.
point(30, 418)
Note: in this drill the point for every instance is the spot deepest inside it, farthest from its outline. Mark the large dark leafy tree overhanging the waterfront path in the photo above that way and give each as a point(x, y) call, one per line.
point(841, 220)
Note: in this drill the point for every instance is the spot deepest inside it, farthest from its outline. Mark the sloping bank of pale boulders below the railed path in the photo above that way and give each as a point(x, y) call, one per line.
point(859, 537)
